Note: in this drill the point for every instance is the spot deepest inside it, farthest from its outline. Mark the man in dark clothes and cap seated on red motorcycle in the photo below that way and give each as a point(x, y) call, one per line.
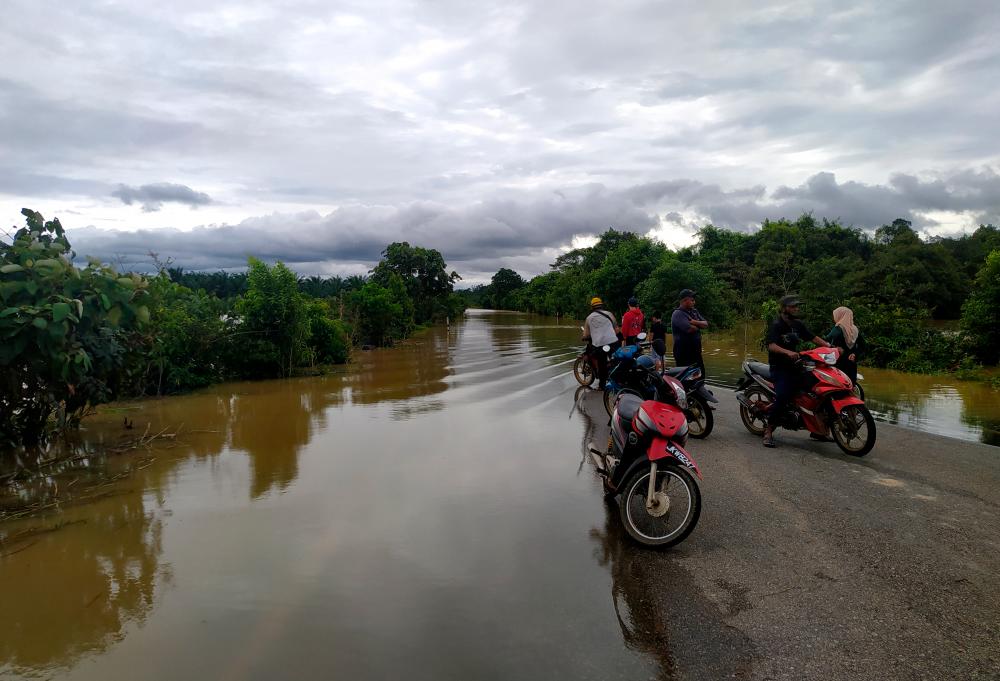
point(783, 339)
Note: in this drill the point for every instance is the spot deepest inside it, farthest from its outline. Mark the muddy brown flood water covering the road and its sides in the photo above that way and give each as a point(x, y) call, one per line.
point(425, 513)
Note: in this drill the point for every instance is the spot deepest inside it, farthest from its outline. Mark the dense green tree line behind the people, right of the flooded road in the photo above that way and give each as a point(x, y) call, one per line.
point(894, 280)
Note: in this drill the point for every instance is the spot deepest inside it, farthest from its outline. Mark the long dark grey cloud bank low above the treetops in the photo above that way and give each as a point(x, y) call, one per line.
point(527, 229)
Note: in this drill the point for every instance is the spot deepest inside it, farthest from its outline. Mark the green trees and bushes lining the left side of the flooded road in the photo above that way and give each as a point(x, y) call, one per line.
point(74, 337)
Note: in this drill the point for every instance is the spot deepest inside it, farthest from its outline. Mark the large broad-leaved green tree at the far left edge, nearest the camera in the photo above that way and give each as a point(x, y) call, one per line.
point(68, 336)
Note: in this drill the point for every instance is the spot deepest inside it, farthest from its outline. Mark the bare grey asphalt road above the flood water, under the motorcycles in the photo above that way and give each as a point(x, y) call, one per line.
point(810, 564)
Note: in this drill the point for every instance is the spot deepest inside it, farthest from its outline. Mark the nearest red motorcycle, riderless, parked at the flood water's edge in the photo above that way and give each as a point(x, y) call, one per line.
point(646, 465)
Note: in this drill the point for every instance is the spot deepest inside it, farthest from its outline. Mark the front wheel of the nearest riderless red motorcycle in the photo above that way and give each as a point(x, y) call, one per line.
point(674, 513)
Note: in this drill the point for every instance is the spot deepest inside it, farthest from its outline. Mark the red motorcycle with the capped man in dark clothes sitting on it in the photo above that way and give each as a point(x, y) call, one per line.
point(828, 406)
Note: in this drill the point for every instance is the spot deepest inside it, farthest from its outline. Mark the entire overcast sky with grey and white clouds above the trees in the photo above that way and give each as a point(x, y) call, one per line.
point(316, 132)
